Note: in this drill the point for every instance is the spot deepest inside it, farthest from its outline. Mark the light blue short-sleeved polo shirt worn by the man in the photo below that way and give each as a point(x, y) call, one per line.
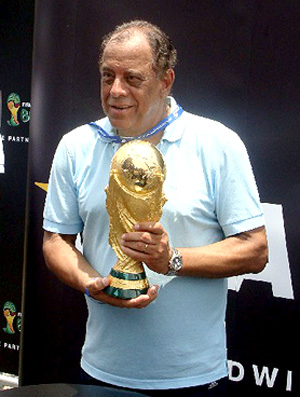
point(179, 340)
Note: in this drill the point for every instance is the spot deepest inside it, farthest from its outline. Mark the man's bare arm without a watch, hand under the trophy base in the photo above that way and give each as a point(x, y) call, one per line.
point(71, 267)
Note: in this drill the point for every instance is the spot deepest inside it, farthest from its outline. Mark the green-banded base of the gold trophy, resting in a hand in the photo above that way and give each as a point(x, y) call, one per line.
point(126, 285)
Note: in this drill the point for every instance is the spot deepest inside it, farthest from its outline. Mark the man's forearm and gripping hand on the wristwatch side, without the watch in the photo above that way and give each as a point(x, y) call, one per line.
point(246, 252)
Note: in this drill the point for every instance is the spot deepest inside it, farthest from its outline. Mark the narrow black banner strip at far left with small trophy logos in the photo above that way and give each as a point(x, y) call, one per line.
point(16, 32)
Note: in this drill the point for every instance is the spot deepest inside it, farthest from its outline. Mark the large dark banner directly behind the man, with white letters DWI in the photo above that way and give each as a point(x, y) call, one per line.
point(239, 64)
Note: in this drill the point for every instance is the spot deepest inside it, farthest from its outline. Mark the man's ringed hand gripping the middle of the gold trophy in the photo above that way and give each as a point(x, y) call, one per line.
point(149, 243)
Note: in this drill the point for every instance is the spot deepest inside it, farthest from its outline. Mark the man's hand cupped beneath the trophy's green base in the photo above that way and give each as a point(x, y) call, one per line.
point(96, 286)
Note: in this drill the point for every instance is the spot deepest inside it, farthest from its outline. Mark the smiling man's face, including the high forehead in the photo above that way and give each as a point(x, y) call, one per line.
point(131, 93)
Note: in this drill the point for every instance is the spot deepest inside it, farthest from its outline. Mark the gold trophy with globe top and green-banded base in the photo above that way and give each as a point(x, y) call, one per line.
point(134, 195)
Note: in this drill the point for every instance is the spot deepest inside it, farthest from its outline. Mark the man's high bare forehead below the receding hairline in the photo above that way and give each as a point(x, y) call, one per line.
point(131, 51)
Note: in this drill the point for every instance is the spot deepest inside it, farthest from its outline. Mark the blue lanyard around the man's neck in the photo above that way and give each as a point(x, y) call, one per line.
point(177, 112)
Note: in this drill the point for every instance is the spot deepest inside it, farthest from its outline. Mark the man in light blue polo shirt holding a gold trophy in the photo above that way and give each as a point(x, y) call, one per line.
point(212, 227)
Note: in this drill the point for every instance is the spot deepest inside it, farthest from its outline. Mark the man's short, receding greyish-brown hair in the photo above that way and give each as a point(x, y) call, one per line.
point(164, 53)
